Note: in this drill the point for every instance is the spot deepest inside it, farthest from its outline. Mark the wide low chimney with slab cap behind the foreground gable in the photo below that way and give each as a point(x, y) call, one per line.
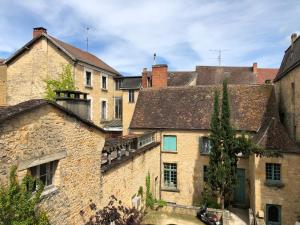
point(74, 101)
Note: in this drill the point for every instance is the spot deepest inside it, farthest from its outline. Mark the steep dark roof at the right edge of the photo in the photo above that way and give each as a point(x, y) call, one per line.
point(291, 59)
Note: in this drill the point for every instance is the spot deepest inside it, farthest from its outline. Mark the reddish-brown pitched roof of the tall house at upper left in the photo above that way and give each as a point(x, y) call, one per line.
point(74, 53)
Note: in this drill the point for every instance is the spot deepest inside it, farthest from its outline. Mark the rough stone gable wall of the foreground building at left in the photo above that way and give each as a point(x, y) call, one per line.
point(47, 131)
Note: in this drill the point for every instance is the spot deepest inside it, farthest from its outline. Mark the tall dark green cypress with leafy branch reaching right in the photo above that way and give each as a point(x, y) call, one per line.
point(225, 148)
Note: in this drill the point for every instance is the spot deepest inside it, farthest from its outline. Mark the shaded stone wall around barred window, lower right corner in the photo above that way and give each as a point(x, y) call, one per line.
point(287, 196)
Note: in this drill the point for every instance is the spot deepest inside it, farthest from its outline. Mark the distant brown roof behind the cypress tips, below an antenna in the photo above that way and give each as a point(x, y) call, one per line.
point(208, 75)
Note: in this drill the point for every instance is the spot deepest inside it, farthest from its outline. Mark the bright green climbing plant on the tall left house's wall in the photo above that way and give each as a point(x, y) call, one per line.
point(65, 82)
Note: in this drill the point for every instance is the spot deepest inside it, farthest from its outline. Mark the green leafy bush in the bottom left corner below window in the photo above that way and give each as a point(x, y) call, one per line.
point(18, 202)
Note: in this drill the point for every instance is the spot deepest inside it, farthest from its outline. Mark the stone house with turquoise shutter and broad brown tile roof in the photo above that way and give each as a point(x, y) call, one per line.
point(181, 118)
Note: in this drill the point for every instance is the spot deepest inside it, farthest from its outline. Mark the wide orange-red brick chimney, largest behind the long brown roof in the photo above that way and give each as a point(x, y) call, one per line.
point(160, 75)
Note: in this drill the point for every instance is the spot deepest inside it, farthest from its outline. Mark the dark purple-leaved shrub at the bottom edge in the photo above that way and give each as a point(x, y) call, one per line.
point(114, 213)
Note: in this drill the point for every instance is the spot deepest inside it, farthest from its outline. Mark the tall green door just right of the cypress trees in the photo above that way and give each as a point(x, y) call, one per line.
point(240, 188)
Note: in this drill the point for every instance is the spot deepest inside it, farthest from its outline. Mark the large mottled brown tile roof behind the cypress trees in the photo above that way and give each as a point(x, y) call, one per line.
point(188, 108)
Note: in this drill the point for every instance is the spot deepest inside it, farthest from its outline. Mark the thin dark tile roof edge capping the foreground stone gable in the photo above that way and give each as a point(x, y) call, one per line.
point(10, 112)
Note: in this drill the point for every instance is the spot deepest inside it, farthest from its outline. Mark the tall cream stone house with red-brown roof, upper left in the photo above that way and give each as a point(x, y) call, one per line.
point(43, 58)
